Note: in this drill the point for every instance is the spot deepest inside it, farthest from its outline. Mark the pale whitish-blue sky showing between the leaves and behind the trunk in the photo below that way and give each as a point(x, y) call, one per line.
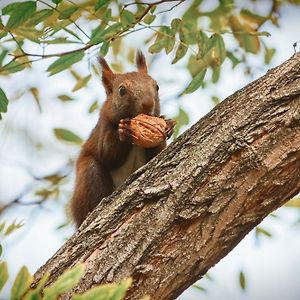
point(272, 268)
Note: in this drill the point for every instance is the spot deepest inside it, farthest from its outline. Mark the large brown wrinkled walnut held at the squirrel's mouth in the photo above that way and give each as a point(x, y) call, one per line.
point(148, 131)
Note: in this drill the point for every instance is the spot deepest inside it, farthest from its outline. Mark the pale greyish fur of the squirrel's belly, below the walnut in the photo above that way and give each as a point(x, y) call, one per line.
point(135, 160)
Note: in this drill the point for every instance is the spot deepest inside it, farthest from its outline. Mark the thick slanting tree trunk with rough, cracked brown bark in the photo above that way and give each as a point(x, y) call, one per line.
point(180, 214)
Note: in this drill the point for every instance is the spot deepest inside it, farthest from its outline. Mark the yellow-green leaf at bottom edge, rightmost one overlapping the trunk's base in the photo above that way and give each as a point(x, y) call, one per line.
point(110, 291)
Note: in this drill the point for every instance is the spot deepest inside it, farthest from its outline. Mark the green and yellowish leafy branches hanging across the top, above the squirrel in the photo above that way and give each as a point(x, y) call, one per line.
point(58, 23)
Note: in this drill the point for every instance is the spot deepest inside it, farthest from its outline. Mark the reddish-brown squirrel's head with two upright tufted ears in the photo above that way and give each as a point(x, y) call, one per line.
point(131, 93)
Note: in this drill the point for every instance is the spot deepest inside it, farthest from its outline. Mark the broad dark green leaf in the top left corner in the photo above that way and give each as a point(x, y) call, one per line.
point(19, 13)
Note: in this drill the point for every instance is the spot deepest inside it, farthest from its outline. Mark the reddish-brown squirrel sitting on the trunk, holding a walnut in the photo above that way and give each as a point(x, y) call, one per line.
point(108, 157)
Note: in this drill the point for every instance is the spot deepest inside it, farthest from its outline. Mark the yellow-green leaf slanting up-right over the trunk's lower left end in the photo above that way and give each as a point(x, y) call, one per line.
point(64, 282)
